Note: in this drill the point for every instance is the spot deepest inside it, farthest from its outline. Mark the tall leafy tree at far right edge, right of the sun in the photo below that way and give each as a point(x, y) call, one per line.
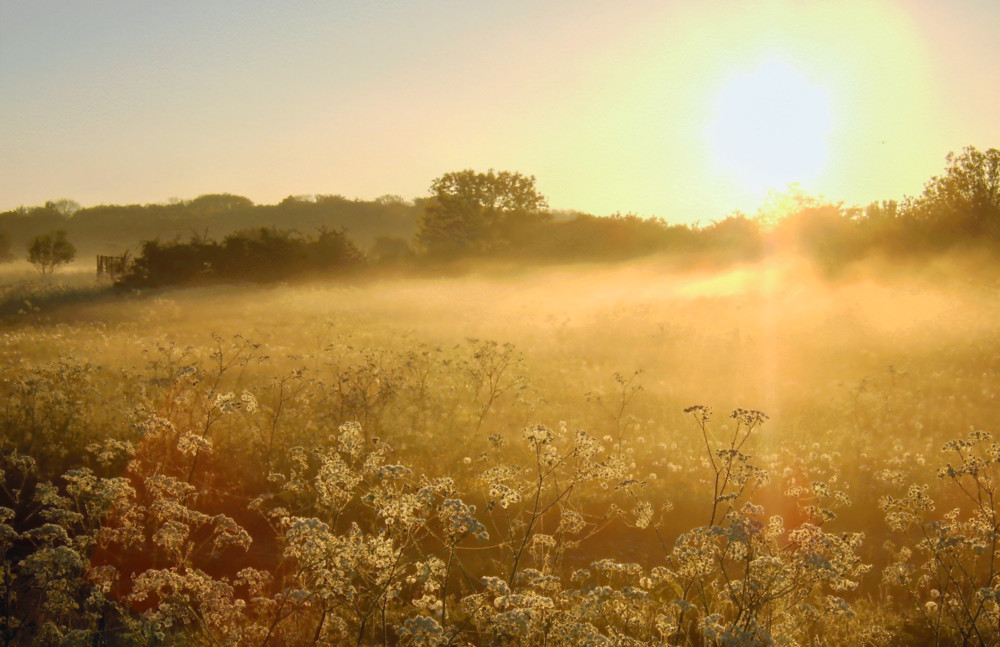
point(965, 199)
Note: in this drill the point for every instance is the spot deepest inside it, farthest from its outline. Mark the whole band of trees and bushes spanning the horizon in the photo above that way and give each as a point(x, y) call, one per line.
point(502, 216)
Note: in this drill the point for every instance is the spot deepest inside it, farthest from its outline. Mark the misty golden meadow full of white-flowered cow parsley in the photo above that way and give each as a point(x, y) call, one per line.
point(580, 454)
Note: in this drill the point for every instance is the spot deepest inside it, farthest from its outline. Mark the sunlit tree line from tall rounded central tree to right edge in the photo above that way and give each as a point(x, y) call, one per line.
point(960, 207)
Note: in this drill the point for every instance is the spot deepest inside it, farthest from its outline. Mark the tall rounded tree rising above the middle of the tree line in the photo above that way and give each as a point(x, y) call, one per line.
point(478, 212)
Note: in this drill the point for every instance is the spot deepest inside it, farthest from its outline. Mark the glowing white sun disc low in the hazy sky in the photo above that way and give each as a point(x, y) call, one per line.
point(769, 127)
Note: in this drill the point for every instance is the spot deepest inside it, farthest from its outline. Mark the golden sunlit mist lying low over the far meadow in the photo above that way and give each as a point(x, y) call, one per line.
point(776, 335)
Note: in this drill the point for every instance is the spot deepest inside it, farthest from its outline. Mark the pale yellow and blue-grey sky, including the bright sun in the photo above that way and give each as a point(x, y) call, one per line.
point(686, 110)
